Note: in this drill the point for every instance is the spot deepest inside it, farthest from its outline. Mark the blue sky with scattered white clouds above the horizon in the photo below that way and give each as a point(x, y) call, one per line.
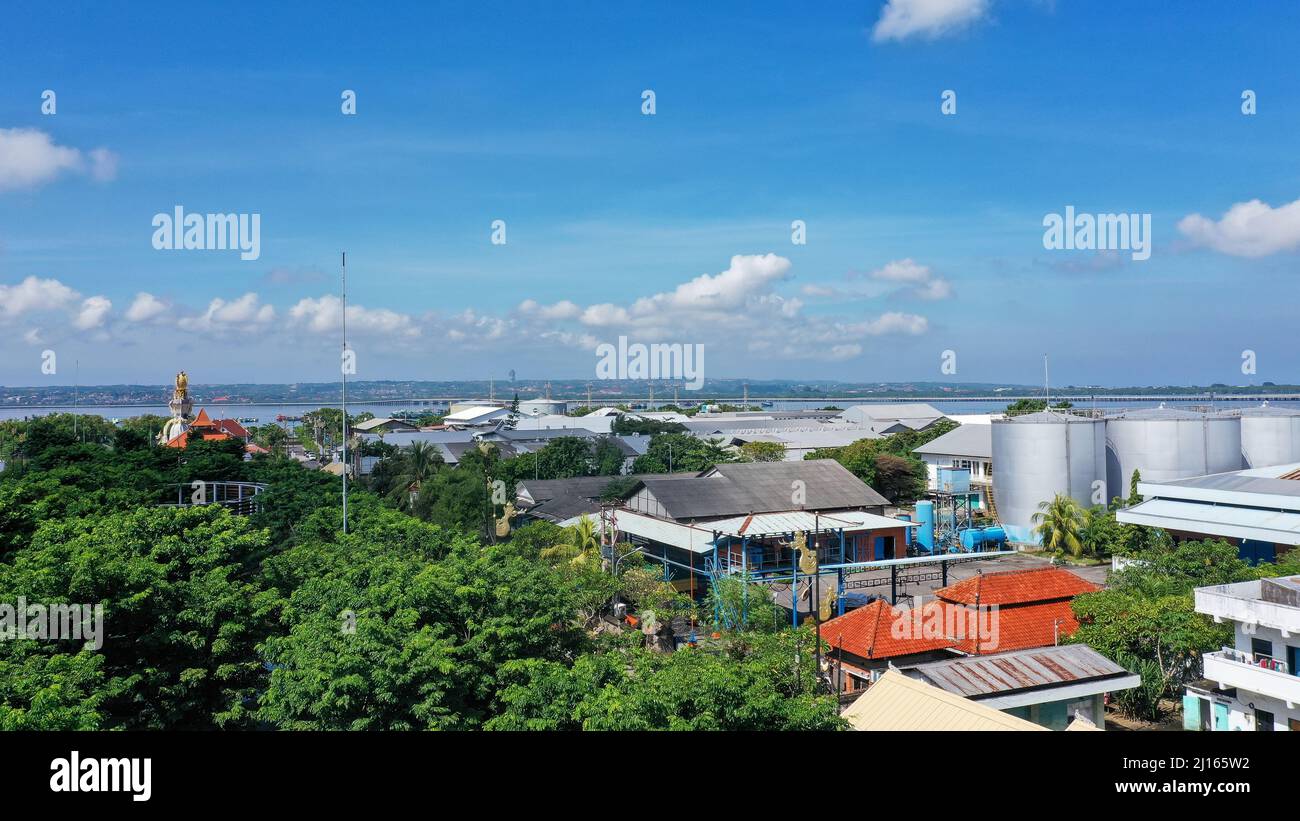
point(925, 232)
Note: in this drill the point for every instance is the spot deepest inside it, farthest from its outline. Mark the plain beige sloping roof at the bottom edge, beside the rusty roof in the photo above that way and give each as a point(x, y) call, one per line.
point(902, 703)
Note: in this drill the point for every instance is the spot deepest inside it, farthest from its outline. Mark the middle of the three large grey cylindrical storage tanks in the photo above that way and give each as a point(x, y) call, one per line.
point(1165, 444)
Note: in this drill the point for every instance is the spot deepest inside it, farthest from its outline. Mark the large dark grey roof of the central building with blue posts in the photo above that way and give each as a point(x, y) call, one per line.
point(764, 488)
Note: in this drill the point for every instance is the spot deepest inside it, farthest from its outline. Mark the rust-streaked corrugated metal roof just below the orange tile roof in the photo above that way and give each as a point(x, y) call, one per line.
point(1025, 670)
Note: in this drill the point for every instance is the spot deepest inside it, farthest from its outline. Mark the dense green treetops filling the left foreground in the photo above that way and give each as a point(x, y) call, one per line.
point(419, 618)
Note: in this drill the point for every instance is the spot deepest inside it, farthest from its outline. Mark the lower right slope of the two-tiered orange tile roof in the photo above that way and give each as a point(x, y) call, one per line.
point(1017, 627)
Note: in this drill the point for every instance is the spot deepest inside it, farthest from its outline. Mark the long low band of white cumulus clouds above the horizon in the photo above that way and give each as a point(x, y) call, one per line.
point(740, 310)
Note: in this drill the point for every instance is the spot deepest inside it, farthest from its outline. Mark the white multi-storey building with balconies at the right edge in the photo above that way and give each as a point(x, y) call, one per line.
point(1253, 685)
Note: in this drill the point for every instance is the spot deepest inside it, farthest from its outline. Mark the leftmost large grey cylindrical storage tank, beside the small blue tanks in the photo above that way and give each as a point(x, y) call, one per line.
point(1041, 455)
